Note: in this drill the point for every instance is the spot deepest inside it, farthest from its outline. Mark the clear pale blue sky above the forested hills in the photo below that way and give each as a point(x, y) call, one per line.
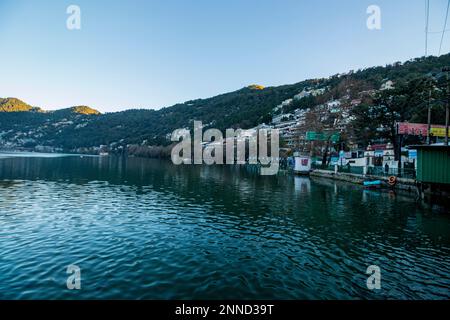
point(151, 54)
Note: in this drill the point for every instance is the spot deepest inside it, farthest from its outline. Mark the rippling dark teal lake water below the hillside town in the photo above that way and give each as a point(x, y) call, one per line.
point(145, 229)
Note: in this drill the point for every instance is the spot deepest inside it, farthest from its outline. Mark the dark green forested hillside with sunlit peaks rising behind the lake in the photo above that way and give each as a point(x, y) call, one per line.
point(82, 127)
